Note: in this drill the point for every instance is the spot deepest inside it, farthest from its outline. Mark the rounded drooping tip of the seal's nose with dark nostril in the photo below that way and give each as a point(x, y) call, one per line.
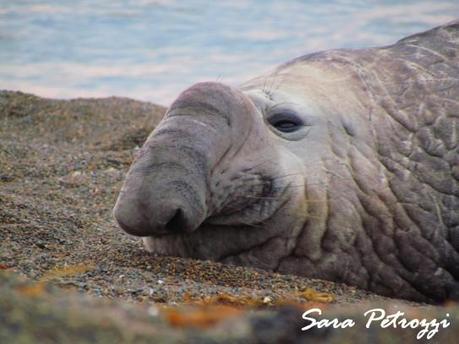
point(142, 218)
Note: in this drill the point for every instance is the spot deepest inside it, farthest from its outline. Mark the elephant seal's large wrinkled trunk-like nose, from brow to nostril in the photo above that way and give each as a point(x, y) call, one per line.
point(167, 187)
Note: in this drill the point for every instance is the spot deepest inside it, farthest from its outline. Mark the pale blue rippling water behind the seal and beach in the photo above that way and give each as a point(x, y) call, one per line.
point(153, 49)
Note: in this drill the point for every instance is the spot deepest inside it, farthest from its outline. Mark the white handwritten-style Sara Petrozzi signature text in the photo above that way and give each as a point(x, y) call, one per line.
point(378, 317)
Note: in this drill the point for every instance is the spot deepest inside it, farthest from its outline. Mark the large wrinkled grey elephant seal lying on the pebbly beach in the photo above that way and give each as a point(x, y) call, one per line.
point(364, 189)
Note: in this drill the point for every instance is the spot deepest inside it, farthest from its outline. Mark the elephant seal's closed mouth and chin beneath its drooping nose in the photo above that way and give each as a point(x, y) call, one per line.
point(221, 234)
